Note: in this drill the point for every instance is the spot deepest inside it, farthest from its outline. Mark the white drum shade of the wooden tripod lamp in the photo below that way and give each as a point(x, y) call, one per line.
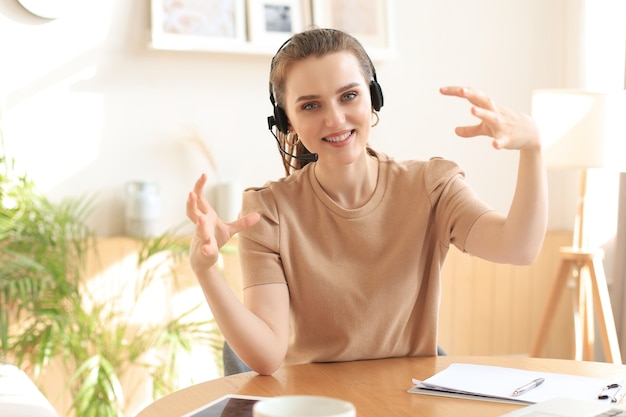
point(582, 129)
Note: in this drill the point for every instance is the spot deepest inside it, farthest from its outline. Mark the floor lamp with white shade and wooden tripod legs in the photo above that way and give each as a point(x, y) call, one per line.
point(583, 130)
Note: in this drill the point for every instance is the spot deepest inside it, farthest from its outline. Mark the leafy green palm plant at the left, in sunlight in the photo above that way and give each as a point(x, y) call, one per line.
point(47, 312)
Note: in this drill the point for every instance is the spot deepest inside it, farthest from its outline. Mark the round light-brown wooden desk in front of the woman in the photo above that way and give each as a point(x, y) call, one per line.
point(377, 388)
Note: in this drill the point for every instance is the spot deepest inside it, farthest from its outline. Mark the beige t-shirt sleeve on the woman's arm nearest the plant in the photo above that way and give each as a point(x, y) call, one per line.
point(259, 245)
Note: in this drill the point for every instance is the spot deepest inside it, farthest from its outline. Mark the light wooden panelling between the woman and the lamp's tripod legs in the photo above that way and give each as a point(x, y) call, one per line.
point(495, 309)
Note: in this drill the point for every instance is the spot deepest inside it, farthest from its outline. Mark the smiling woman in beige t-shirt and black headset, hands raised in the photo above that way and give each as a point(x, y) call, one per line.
point(341, 259)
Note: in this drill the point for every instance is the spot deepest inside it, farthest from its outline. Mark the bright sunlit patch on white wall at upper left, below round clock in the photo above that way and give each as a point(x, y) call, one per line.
point(52, 130)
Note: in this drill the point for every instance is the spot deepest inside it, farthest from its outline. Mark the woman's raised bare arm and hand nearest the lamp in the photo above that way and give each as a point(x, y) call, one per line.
point(517, 237)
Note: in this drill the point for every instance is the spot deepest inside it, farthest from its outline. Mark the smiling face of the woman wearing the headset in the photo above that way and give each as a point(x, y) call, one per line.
point(328, 103)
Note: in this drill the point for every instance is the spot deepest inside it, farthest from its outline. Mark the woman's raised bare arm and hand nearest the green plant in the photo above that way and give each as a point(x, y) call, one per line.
point(257, 330)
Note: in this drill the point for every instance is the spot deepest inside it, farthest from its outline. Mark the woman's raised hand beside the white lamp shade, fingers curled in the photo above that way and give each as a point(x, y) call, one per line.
point(509, 129)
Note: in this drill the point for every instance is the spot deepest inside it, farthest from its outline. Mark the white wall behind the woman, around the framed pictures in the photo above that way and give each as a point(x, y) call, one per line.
point(88, 106)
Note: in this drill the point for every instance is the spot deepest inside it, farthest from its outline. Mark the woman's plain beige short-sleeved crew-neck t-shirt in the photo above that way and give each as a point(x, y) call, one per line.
point(363, 283)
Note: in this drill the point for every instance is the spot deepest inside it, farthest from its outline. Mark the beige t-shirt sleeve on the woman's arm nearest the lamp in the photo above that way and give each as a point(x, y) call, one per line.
point(457, 207)
